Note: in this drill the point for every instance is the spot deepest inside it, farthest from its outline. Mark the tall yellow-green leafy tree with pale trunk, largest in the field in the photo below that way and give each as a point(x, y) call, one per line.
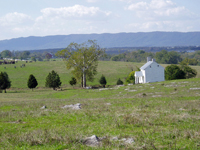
point(83, 58)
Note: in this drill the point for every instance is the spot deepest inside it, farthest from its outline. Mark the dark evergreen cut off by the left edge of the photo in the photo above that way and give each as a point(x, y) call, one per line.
point(5, 82)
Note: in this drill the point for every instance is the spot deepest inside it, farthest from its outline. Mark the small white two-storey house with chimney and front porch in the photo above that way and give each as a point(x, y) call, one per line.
point(150, 72)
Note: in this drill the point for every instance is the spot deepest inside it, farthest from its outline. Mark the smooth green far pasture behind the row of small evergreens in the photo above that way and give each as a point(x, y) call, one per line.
point(110, 69)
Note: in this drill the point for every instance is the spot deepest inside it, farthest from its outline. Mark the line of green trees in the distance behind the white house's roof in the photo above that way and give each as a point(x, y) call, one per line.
point(163, 57)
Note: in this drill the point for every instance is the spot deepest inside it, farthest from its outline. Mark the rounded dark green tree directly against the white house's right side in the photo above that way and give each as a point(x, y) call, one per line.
point(173, 72)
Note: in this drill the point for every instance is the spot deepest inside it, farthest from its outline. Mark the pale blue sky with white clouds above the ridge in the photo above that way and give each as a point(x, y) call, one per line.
point(23, 18)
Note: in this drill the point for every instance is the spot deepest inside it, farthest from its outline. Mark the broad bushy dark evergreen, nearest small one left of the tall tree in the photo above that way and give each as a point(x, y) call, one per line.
point(53, 80)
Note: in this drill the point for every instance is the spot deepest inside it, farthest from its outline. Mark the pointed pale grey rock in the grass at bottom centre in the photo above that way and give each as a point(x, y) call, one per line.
point(92, 141)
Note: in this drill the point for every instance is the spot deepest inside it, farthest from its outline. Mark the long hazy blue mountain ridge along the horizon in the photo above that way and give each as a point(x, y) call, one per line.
point(105, 40)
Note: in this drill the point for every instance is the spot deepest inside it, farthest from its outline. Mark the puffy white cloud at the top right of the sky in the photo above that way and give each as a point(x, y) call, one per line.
point(159, 9)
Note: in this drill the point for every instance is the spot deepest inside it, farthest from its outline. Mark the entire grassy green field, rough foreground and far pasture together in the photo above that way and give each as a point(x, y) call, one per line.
point(162, 115)
